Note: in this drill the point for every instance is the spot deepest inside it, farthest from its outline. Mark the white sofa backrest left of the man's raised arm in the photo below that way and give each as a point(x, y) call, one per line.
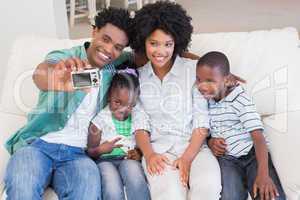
point(19, 94)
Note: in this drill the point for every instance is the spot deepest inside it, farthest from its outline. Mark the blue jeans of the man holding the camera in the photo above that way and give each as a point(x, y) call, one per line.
point(66, 169)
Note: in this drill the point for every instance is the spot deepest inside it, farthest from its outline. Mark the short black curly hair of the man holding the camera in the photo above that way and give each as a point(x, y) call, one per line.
point(116, 16)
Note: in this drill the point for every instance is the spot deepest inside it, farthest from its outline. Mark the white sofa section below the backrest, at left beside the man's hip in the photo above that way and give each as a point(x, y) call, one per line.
point(9, 124)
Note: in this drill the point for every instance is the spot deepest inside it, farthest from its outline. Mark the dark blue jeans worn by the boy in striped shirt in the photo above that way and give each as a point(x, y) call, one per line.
point(238, 176)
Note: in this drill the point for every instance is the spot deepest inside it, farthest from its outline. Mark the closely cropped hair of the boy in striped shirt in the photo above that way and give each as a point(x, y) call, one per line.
point(215, 59)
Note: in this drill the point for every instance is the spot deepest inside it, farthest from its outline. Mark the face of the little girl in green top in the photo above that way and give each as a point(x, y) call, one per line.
point(121, 102)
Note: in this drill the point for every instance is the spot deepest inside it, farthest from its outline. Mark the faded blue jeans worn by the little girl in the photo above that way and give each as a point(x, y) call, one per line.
point(117, 173)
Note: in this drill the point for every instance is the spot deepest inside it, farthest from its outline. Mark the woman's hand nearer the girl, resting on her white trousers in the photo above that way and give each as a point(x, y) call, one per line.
point(156, 163)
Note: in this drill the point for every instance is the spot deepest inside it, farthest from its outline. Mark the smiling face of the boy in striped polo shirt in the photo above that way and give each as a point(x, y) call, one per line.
point(210, 82)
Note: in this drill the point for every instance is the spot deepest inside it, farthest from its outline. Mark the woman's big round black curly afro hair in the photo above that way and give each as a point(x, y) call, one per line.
point(167, 16)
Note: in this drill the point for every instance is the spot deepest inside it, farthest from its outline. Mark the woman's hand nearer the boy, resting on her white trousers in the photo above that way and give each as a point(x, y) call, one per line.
point(184, 166)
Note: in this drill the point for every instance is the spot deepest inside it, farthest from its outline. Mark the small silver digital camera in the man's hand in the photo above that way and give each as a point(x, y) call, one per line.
point(86, 79)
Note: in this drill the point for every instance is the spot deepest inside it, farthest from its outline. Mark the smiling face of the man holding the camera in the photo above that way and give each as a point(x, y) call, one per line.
point(107, 44)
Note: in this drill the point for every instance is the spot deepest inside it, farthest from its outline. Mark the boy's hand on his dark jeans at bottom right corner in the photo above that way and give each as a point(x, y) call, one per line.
point(266, 188)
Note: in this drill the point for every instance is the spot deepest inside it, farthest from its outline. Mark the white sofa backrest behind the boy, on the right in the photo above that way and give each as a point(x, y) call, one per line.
point(263, 58)
